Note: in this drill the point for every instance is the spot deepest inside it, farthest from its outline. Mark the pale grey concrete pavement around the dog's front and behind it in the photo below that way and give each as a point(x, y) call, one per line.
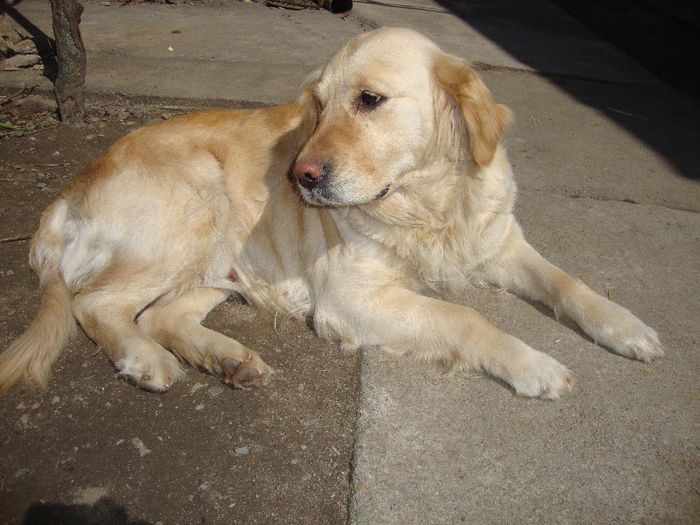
point(605, 157)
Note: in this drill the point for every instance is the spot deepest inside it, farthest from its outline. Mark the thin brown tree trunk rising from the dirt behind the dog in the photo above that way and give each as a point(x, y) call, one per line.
point(70, 54)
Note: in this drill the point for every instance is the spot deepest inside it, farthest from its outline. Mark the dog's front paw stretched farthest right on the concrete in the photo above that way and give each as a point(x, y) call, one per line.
point(624, 333)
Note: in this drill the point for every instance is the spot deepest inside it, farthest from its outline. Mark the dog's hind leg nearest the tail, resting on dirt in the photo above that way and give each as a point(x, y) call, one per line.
point(107, 313)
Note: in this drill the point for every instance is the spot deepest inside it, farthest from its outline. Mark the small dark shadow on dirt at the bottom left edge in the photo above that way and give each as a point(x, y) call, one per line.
point(104, 512)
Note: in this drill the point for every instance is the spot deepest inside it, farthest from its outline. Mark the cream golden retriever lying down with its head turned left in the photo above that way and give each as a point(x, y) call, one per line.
point(364, 204)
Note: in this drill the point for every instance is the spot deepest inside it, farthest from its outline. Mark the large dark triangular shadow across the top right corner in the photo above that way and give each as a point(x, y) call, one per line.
point(662, 37)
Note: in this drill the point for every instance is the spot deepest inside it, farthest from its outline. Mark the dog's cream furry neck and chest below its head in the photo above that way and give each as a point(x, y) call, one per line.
point(469, 211)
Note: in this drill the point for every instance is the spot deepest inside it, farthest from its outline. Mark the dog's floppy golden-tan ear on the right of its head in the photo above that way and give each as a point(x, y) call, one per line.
point(486, 120)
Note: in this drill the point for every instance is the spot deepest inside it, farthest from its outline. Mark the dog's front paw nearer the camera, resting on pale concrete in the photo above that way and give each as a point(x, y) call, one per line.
point(535, 374)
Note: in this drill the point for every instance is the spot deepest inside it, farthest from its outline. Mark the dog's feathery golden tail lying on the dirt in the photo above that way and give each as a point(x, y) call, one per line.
point(33, 353)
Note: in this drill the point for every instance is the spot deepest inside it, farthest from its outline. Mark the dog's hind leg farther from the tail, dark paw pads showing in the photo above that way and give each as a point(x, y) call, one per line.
point(177, 326)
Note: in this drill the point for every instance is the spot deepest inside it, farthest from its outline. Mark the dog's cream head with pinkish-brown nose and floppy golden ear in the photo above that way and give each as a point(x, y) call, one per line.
point(389, 104)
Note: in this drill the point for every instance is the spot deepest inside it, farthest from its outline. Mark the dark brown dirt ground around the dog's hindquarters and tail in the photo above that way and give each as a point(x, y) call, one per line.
point(93, 449)
